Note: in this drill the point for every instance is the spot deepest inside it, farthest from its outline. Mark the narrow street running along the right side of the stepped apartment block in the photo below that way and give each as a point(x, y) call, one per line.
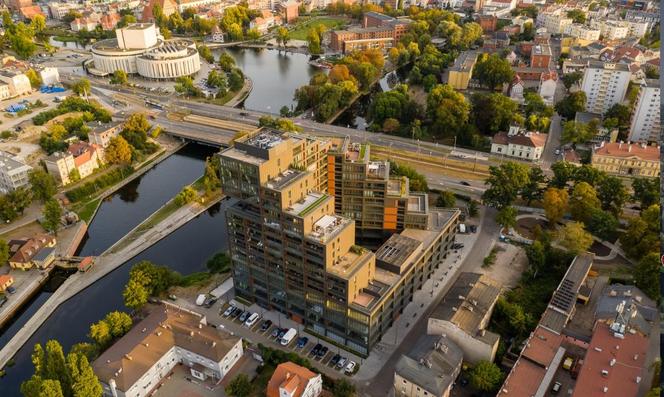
point(381, 385)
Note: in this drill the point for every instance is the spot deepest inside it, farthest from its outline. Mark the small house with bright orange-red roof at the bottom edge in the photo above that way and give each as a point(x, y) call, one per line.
point(292, 380)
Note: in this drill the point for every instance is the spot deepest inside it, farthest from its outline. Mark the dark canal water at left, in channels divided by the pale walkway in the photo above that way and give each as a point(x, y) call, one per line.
point(186, 250)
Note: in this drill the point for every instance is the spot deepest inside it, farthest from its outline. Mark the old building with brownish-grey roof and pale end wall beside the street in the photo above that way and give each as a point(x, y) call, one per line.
point(464, 314)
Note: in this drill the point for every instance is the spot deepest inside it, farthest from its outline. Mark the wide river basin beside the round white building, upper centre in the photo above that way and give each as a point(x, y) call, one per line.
point(275, 75)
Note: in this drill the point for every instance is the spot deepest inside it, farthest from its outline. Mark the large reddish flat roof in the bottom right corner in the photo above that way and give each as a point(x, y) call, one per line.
point(621, 358)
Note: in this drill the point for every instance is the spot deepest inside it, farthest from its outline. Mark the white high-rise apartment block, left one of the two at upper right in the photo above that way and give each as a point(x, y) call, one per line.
point(605, 84)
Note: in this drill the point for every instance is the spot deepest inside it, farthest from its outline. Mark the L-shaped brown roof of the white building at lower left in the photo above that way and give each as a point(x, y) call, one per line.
point(128, 359)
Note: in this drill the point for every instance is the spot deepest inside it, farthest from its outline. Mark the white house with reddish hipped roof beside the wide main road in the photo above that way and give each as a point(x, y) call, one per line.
point(517, 143)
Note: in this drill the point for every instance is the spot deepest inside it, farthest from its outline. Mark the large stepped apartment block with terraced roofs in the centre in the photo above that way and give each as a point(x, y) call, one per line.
point(291, 252)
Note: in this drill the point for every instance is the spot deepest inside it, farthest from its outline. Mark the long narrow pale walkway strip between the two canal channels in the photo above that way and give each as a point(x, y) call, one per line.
point(105, 263)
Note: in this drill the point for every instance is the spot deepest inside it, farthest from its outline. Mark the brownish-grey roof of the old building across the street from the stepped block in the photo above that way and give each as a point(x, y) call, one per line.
point(468, 302)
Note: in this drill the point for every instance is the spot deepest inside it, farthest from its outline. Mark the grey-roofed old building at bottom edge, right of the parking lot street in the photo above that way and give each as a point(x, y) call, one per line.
point(429, 369)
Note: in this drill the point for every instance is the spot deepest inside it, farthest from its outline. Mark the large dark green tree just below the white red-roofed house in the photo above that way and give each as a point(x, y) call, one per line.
point(505, 182)
